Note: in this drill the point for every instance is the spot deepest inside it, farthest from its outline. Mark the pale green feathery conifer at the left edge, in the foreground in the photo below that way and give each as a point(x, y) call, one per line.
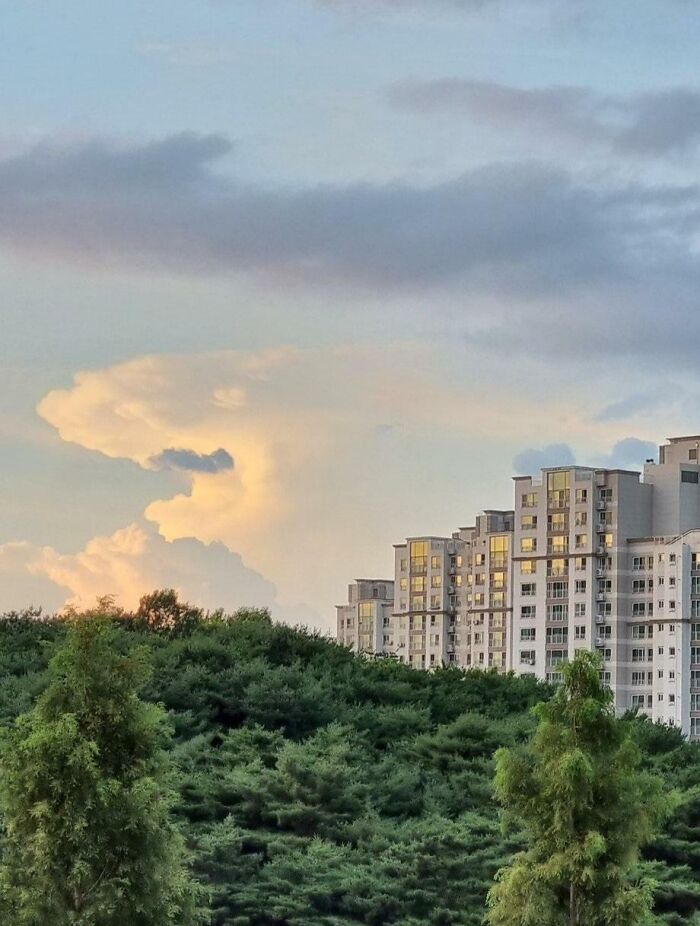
point(88, 839)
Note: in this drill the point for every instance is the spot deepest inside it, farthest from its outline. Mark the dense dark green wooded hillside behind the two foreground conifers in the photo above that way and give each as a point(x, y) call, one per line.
point(316, 788)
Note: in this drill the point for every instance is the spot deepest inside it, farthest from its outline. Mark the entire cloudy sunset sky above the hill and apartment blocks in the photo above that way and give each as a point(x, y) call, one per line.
point(286, 281)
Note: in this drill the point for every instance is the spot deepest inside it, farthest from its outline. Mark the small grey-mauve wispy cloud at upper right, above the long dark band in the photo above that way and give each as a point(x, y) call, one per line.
point(649, 125)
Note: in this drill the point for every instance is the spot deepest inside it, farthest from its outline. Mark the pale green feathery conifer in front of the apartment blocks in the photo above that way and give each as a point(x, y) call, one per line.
point(585, 808)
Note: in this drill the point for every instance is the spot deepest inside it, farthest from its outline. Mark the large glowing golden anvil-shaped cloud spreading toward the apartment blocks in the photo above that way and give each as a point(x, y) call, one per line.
point(320, 481)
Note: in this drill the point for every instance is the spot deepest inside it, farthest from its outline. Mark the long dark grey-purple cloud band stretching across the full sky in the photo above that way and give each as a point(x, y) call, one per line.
point(518, 230)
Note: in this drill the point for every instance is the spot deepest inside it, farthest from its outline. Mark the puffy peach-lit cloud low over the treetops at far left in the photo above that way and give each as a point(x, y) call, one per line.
point(129, 563)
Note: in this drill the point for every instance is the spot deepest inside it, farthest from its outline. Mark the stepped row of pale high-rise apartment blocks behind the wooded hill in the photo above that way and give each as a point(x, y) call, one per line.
point(589, 558)
